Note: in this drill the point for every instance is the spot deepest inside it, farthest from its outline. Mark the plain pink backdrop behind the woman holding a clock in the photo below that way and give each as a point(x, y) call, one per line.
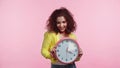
point(22, 25)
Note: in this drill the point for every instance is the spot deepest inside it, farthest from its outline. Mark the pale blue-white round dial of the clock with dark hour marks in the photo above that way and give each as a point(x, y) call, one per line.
point(67, 50)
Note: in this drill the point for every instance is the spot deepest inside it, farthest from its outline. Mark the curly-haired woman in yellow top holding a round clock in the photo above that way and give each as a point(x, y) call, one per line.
point(60, 25)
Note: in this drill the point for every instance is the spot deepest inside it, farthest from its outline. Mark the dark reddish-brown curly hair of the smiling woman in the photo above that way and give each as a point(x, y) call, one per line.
point(52, 23)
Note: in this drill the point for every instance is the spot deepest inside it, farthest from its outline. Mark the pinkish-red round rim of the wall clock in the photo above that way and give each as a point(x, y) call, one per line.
point(63, 40)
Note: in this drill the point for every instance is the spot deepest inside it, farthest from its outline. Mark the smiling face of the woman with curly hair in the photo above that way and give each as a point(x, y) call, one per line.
point(61, 24)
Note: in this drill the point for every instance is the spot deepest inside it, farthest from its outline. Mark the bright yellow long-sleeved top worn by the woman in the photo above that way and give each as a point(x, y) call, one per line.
point(50, 40)
